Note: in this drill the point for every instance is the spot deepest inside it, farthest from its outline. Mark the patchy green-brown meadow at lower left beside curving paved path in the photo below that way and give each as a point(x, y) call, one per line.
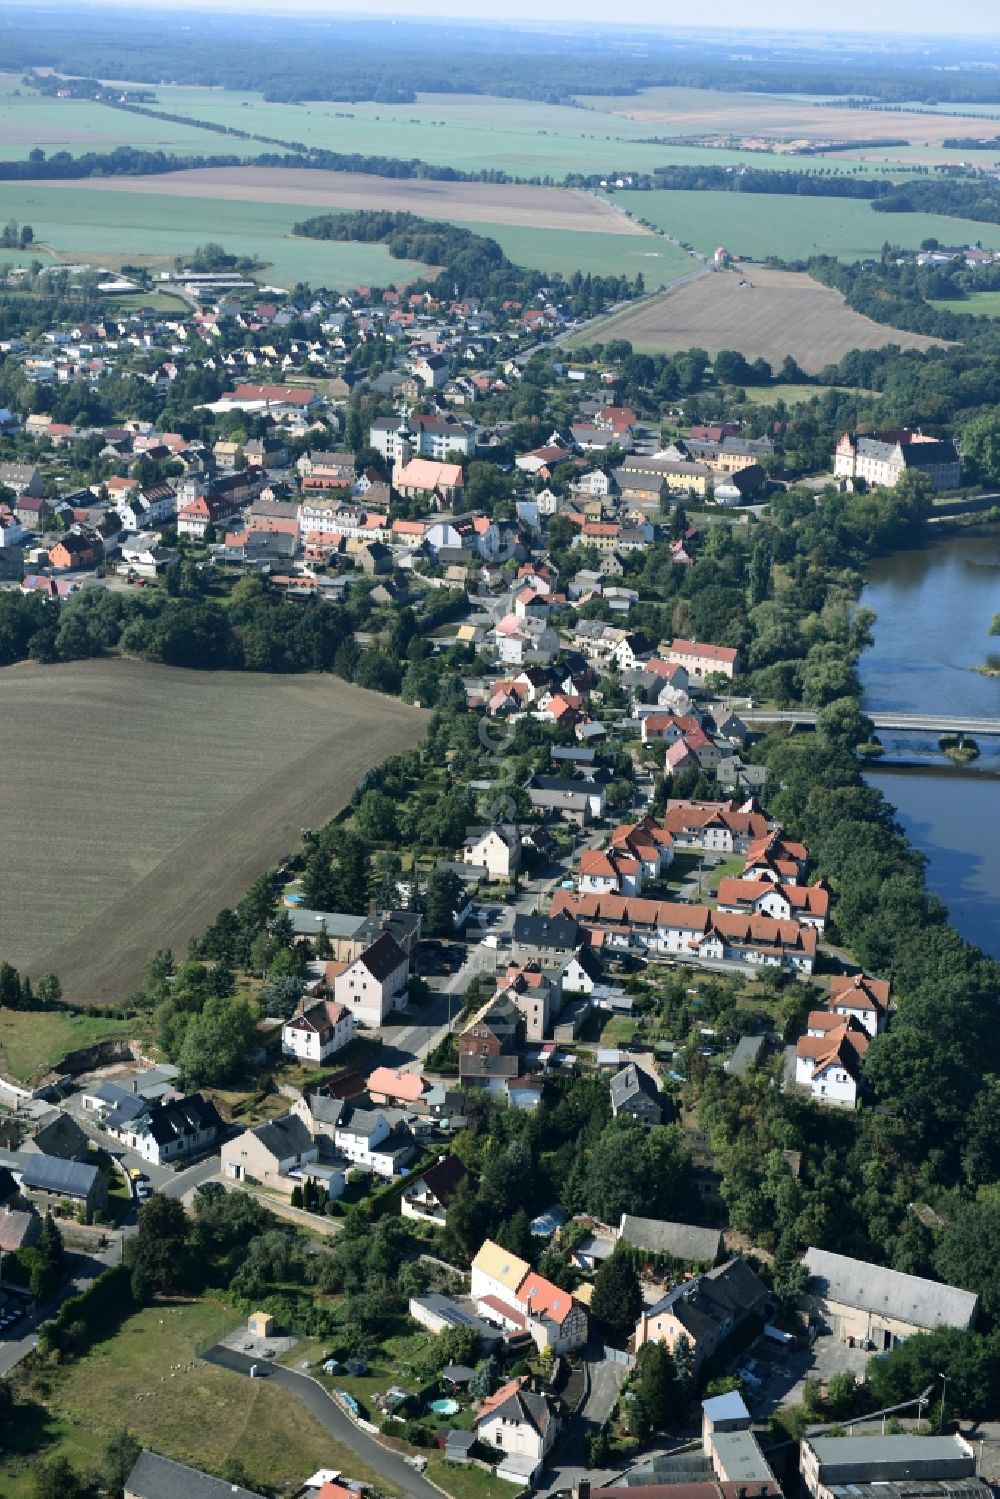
point(149, 1378)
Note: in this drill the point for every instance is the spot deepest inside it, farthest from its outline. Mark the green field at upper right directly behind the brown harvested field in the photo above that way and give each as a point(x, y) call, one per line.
point(756, 226)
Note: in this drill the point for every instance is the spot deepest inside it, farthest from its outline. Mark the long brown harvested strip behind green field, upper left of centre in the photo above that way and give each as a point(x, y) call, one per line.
point(478, 203)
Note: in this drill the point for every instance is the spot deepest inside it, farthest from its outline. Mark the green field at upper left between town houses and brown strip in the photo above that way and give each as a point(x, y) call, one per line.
point(112, 229)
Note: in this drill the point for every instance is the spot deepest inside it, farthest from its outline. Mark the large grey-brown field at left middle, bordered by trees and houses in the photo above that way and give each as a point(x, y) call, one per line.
point(137, 825)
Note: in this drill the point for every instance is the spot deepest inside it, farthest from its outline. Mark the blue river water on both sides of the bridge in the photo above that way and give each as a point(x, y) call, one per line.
point(935, 608)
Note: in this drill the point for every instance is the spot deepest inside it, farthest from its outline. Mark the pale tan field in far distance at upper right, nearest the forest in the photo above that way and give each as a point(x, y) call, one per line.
point(777, 118)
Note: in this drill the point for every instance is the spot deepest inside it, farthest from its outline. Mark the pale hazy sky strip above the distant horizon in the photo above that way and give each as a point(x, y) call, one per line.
point(908, 17)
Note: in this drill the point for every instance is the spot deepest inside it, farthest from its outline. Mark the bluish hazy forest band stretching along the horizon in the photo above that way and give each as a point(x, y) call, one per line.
point(362, 59)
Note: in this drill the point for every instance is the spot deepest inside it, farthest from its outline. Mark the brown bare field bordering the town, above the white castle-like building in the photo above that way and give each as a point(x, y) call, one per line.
point(782, 313)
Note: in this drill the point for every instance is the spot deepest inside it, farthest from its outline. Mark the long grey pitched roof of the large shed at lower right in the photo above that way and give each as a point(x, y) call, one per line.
point(890, 1293)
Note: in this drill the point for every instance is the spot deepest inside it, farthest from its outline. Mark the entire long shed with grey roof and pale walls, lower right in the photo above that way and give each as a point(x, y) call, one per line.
point(881, 1308)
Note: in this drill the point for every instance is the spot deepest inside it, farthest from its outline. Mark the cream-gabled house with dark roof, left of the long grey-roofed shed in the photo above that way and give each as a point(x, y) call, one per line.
point(707, 1309)
